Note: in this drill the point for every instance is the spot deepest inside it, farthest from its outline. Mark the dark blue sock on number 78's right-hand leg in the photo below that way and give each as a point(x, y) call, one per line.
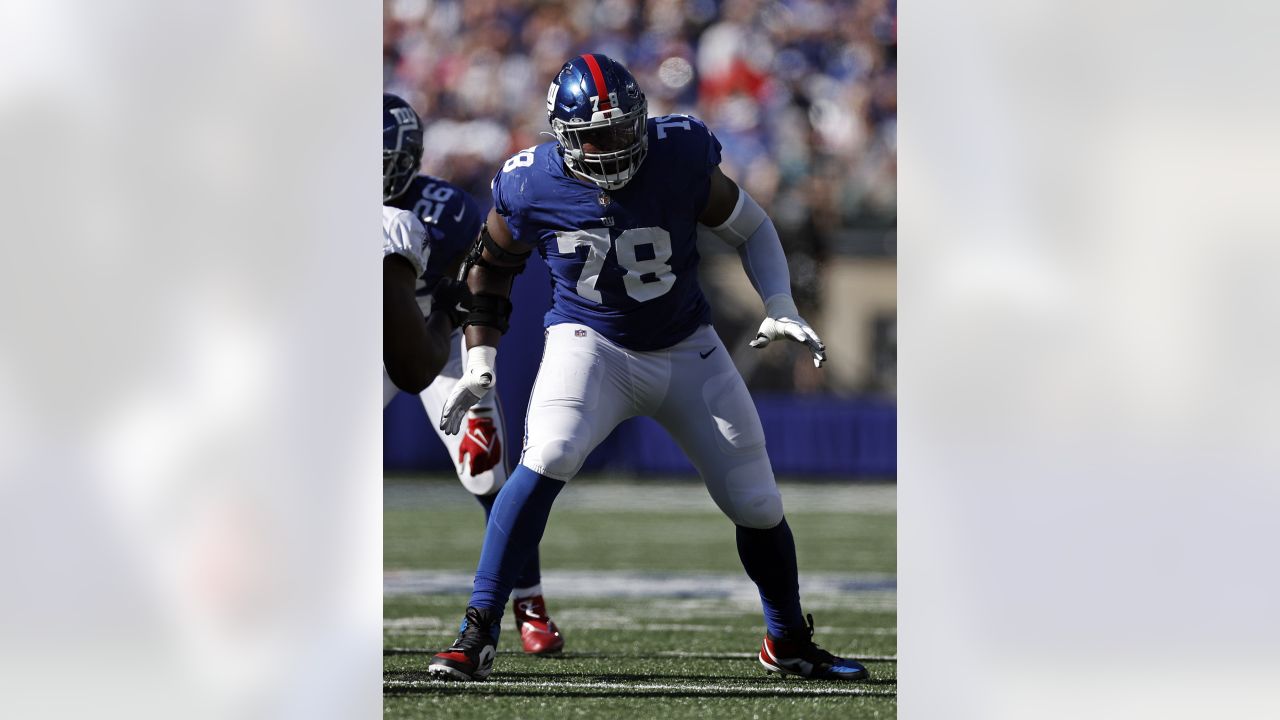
point(770, 559)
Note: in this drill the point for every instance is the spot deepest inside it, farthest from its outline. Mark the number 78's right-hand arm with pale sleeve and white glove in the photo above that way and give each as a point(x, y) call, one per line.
point(740, 222)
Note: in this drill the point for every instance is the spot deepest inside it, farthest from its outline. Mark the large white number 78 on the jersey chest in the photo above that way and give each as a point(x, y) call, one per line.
point(644, 280)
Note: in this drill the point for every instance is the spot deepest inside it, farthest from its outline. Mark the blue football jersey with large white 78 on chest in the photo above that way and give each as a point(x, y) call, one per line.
point(623, 262)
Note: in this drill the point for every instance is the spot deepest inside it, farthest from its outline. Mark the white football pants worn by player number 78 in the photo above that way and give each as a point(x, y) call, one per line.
point(588, 385)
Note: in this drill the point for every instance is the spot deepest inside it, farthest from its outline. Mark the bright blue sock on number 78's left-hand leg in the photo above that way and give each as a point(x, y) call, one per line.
point(515, 528)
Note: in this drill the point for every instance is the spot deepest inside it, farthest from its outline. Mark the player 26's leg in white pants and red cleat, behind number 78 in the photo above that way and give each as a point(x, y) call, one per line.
point(479, 455)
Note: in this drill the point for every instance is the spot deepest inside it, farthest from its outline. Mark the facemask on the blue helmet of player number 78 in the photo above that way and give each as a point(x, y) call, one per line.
point(620, 139)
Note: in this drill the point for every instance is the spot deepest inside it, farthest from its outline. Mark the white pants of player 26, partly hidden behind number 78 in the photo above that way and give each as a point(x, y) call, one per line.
point(433, 402)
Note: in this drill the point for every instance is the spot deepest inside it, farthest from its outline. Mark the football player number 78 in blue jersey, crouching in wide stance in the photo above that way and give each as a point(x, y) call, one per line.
point(614, 207)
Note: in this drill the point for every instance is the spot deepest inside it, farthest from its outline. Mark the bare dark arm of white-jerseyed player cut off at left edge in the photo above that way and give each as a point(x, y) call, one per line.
point(414, 352)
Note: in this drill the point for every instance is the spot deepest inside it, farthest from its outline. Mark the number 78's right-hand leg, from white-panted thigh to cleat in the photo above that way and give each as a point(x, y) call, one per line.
point(711, 416)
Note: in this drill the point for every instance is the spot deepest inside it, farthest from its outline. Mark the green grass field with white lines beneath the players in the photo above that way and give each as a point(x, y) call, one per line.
point(644, 582)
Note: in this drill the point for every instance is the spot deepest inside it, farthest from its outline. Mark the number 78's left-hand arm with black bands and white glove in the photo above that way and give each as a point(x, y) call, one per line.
point(499, 259)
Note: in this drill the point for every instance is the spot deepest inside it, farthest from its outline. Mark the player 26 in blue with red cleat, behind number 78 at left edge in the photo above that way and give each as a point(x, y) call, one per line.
point(452, 221)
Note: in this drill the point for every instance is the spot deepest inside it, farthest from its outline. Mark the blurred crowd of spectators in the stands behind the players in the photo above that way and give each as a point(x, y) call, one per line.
point(802, 95)
